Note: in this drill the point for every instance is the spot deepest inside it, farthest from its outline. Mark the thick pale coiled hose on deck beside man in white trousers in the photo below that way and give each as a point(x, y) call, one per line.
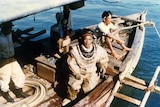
point(33, 100)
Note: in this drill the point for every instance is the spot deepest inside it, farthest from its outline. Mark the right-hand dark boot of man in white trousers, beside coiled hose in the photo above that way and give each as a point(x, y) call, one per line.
point(19, 93)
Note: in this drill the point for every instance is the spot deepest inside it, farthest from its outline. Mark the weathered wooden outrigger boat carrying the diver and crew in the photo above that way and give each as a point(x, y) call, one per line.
point(40, 69)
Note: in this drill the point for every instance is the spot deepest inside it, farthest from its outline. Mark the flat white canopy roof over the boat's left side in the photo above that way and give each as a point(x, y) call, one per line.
point(16, 9)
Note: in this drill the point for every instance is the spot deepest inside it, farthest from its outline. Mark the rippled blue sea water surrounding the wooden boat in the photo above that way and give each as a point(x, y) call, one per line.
point(91, 14)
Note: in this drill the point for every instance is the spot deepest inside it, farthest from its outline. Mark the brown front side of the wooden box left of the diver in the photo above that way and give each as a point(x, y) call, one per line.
point(46, 72)
